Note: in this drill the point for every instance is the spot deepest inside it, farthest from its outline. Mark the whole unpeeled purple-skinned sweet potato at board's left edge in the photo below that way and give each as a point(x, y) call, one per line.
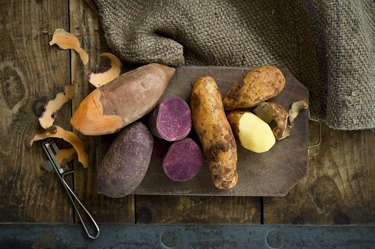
point(126, 162)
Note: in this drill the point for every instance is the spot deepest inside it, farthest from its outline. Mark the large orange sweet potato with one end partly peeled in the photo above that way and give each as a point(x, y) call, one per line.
point(131, 96)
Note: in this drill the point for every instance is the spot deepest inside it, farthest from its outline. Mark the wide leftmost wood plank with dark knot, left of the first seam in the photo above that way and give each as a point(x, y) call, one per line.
point(30, 70)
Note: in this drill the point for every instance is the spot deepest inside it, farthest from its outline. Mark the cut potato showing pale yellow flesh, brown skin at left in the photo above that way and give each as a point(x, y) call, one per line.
point(252, 132)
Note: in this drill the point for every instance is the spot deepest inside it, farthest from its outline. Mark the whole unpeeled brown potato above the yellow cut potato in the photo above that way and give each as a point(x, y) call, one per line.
point(257, 86)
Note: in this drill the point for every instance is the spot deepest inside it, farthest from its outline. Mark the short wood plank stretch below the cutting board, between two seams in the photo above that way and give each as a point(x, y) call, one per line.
point(197, 209)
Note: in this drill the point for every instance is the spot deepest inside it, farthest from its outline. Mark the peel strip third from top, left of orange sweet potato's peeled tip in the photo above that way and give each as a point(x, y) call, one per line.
point(48, 116)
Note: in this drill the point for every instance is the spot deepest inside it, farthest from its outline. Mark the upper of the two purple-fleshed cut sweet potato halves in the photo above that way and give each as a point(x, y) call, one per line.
point(171, 119)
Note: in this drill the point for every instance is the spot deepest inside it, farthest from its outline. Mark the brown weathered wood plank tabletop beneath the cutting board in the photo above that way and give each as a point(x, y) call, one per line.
point(339, 188)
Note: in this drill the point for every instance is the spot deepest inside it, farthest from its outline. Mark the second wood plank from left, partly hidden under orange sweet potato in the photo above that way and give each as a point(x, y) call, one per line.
point(84, 23)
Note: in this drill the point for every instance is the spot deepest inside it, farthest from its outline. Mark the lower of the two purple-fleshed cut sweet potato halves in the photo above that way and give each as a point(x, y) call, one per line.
point(183, 160)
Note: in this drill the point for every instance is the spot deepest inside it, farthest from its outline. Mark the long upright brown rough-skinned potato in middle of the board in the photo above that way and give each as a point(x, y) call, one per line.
point(214, 132)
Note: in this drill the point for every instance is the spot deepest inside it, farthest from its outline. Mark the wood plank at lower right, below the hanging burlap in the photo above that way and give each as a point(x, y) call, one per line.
point(339, 188)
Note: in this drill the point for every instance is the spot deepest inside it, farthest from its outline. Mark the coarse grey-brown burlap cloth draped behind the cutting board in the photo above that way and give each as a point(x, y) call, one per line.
point(327, 44)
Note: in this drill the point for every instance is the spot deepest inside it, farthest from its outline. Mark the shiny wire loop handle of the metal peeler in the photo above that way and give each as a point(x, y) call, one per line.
point(73, 198)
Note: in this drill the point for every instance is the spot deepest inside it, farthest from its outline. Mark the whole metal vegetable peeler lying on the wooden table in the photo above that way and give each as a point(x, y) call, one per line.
point(51, 150)
